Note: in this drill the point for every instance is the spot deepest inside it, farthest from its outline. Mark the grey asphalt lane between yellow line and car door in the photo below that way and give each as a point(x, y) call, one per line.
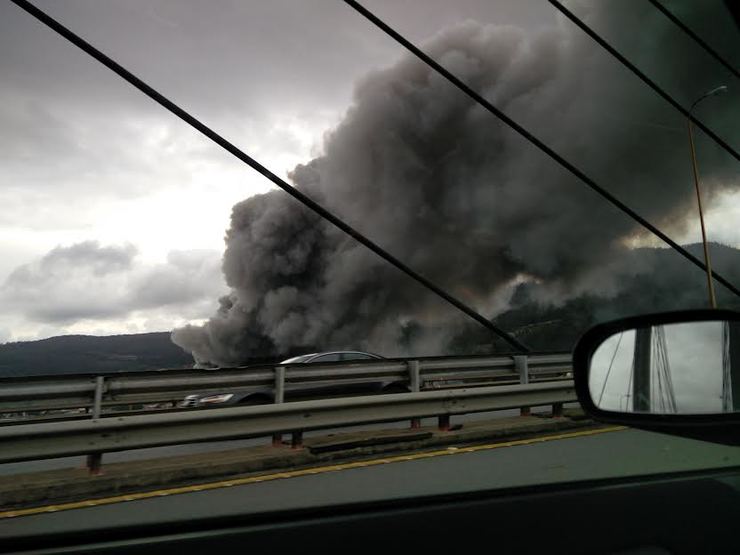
point(610, 454)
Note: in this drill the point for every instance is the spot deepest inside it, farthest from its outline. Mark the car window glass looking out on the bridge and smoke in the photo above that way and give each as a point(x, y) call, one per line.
point(465, 199)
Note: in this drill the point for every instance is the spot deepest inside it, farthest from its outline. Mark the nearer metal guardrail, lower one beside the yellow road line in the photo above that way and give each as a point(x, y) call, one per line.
point(33, 441)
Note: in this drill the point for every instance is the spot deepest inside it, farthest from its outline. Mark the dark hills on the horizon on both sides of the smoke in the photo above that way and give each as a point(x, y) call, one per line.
point(650, 280)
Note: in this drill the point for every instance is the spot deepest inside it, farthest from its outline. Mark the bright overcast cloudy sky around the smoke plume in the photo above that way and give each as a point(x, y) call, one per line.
point(114, 212)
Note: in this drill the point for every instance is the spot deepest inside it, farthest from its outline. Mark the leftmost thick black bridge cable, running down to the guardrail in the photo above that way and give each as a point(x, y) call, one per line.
point(231, 148)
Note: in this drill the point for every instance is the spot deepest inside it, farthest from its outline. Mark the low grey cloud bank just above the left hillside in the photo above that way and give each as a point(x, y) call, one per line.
point(94, 282)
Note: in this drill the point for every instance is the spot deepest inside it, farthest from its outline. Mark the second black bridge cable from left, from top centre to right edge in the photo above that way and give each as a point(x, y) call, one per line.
point(532, 139)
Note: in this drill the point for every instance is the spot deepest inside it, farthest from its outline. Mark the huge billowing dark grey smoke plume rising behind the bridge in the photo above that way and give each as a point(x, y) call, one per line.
point(446, 187)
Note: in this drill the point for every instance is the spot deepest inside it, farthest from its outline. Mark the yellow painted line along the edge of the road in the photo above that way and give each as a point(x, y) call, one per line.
point(296, 473)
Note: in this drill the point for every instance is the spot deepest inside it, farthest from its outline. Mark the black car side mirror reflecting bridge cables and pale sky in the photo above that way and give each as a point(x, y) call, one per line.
point(669, 371)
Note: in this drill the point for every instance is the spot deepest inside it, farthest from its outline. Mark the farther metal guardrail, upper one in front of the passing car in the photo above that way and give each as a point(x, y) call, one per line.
point(102, 394)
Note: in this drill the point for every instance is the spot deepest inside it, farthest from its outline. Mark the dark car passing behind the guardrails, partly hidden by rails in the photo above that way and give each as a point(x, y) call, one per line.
point(320, 389)
